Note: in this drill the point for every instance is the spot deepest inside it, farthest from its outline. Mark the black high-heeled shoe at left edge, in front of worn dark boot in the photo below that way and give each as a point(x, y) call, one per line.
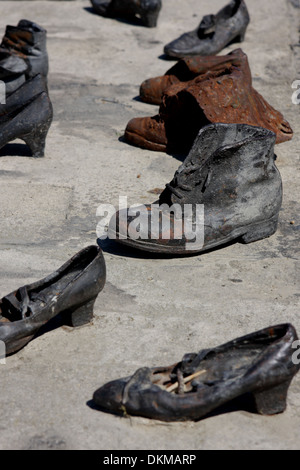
point(30, 121)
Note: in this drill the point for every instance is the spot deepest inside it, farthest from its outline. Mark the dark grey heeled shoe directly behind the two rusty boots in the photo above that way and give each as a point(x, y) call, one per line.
point(214, 33)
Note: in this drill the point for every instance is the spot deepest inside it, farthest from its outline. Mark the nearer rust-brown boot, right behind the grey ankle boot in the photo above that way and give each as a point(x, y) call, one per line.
point(225, 96)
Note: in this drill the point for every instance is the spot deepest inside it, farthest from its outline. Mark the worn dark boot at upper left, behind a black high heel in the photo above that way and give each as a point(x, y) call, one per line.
point(23, 54)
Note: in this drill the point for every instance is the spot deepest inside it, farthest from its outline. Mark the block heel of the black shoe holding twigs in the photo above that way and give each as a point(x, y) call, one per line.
point(273, 400)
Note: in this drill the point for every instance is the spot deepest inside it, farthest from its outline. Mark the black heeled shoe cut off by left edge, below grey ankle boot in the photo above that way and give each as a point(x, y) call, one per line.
point(71, 291)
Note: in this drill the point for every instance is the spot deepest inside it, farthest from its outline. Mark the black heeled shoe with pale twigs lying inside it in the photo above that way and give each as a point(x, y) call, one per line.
point(260, 364)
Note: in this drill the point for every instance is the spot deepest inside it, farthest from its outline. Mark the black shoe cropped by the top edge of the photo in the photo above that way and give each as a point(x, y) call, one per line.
point(146, 10)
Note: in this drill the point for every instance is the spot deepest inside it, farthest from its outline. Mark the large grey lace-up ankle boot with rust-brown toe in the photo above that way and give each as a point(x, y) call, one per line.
point(231, 176)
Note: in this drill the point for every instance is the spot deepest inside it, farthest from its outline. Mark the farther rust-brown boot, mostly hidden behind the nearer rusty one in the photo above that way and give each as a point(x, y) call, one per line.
point(186, 69)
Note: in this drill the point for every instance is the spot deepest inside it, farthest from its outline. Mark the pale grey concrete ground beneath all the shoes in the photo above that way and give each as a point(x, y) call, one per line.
point(152, 310)
